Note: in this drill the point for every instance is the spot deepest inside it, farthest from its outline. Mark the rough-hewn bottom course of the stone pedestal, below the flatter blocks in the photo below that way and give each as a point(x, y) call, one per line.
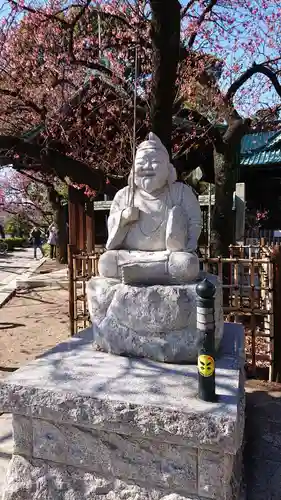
point(31, 479)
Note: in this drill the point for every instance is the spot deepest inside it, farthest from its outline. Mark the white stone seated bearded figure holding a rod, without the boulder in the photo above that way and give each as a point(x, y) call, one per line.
point(154, 224)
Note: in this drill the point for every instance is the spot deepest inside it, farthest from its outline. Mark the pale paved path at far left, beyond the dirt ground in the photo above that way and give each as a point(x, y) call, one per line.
point(13, 267)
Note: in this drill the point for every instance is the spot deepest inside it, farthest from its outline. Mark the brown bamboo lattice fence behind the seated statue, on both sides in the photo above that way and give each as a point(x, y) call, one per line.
point(251, 281)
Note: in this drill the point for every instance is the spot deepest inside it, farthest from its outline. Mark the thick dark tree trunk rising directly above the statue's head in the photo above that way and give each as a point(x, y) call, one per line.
point(165, 35)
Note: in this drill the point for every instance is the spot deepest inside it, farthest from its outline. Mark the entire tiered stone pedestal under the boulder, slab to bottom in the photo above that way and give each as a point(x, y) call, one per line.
point(91, 426)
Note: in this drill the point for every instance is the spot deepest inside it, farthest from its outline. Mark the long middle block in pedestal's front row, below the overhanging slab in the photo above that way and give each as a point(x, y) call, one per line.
point(129, 458)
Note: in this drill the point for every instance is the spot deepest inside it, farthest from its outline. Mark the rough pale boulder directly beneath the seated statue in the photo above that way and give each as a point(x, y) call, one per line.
point(156, 322)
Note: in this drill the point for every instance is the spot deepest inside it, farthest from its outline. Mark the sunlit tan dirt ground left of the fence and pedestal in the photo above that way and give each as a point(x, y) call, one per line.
point(30, 323)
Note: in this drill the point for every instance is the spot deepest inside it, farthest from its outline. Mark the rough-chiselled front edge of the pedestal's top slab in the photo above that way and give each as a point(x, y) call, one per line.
point(171, 425)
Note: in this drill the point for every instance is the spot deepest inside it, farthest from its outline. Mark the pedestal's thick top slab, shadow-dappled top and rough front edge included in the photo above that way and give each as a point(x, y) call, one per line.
point(74, 384)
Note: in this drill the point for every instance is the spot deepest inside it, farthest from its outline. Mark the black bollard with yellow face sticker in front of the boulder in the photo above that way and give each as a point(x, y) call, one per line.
point(206, 328)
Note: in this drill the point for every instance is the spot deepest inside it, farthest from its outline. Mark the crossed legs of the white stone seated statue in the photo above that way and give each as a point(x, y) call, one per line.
point(139, 267)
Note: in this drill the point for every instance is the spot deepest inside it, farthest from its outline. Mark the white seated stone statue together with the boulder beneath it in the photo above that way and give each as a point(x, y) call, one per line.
point(143, 303)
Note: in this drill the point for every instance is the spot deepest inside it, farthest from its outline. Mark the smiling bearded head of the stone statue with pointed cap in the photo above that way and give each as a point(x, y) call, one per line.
point(152, 165)
